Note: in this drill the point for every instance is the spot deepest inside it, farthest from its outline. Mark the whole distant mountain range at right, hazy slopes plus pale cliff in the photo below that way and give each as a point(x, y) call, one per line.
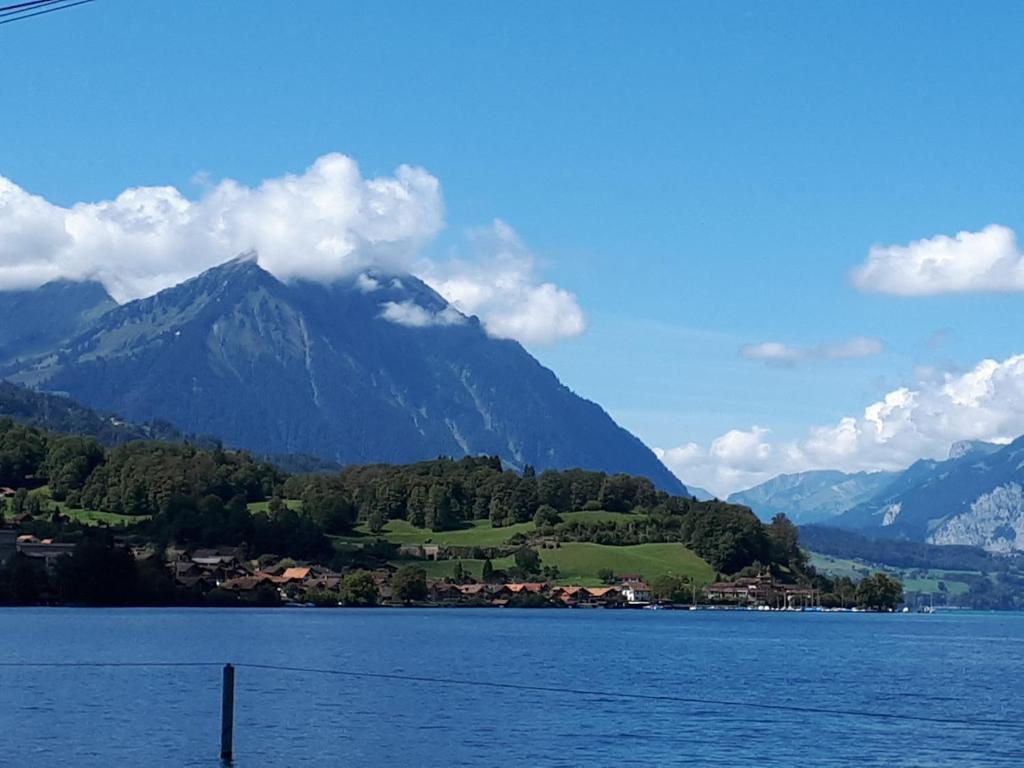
point(974, 498)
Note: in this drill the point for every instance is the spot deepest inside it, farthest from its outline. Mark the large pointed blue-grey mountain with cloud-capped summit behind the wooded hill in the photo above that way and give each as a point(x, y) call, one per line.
point(373, 369)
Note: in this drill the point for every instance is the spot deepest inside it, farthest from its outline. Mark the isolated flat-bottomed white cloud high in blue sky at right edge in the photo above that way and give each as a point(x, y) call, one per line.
point(990, 262)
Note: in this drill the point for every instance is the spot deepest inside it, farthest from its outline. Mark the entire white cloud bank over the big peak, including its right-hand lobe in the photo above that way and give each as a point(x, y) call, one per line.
point(327, 223)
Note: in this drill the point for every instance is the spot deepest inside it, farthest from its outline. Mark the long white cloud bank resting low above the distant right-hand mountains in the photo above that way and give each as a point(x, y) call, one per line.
point(909, 423)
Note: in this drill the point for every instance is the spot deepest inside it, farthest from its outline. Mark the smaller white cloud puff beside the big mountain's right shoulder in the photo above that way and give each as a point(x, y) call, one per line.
point(500, 284)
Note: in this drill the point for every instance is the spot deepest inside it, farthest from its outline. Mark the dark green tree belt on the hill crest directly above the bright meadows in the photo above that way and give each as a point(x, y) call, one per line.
point(447, 494)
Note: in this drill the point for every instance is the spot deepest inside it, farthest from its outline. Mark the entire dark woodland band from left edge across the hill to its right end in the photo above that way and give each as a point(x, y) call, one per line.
point(202, 497)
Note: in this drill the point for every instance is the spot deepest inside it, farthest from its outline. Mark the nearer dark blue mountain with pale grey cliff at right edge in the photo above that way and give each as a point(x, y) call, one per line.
point(973, 498)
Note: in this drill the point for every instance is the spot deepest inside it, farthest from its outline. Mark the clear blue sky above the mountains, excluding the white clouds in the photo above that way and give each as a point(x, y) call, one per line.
point(701, 177)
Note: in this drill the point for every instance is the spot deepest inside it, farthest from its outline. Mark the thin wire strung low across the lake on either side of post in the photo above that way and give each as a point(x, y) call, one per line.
point(660, 698)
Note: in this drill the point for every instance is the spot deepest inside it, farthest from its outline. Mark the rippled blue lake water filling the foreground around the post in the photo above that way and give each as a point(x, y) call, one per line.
point(933, 666)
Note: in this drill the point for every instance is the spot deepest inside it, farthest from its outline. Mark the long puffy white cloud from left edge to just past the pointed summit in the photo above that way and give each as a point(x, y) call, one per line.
point(324, 224)
